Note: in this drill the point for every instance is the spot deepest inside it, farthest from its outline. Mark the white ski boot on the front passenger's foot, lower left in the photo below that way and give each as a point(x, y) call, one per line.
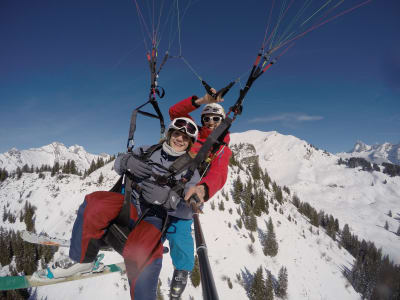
point(66, 267)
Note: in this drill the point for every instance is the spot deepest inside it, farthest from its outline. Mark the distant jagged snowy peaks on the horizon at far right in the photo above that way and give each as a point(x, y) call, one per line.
point(386, 152)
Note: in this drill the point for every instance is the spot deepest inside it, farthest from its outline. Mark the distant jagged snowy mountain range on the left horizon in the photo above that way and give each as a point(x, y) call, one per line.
point(48, 155)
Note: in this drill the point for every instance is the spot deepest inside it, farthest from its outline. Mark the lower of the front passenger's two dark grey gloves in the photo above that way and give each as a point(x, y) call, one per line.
point(159, 195)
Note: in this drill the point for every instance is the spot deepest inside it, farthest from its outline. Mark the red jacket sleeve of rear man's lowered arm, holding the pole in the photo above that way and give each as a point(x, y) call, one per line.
point(218, 172)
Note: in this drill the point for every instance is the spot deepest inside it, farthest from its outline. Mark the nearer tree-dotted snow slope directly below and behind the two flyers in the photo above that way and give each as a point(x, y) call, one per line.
point(313, 260)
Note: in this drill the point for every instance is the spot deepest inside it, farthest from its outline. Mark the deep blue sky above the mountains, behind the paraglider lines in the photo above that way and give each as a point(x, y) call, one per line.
point(72, 71)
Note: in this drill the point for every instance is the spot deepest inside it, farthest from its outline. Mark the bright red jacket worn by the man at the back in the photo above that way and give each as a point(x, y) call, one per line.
point(218, 169)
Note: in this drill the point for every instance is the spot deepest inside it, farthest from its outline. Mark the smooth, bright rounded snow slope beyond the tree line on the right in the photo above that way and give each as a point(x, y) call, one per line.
point(358, 198)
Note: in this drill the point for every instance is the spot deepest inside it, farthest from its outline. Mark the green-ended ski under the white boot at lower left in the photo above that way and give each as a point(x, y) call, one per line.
point(23, 282)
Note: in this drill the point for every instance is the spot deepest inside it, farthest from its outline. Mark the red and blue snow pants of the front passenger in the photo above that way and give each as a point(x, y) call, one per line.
point(142, 252)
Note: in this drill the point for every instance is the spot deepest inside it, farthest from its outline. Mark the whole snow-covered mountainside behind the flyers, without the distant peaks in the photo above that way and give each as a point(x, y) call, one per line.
point(314, 261)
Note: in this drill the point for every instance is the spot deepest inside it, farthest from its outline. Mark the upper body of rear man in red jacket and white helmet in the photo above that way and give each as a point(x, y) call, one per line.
point(215, 170)
